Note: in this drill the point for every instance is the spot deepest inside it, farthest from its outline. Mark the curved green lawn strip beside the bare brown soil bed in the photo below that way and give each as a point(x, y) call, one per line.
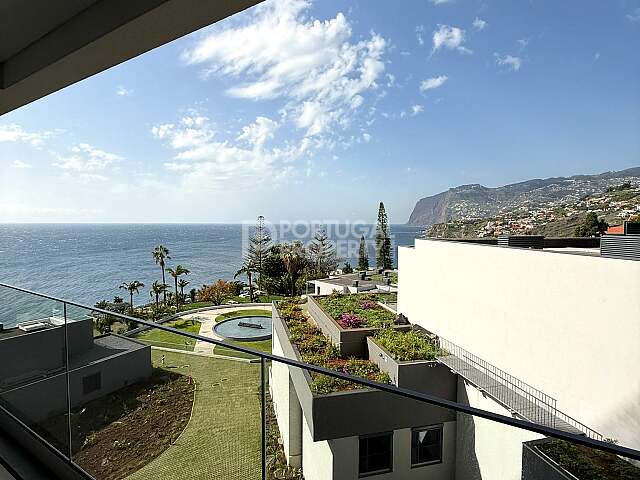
point(223, 437)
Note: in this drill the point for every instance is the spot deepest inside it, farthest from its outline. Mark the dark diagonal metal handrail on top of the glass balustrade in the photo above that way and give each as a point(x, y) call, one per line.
point(400, 391)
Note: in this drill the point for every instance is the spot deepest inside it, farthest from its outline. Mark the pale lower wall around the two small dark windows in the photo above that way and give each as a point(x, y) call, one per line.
point(338, 459)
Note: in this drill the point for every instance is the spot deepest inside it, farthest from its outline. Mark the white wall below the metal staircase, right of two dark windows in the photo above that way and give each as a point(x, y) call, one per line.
point(486, 449)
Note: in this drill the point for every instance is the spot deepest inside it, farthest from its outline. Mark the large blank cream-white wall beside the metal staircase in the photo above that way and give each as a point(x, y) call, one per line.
point(566, 324)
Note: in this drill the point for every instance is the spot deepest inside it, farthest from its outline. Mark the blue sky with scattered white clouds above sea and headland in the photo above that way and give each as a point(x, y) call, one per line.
point(318, 110)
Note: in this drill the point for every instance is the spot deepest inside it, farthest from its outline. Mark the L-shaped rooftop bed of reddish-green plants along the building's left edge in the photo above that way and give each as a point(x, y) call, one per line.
point(315, 349)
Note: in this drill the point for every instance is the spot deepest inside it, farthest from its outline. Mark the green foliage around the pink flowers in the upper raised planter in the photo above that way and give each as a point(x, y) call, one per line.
point(335, 305)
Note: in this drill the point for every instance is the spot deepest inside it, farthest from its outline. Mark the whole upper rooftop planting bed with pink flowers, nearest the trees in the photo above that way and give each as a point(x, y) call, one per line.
point(356, 311)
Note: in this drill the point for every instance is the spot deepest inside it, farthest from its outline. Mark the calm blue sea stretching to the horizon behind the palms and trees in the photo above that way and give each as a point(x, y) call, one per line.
point(86, 263)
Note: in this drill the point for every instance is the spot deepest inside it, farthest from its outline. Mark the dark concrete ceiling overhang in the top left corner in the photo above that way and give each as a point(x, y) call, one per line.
point(46, 45)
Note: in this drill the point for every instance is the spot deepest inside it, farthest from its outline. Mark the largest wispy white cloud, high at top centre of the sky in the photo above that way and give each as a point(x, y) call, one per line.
point(313, 65)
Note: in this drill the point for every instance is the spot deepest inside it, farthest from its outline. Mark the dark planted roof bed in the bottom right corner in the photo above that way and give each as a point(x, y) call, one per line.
point(589, 464)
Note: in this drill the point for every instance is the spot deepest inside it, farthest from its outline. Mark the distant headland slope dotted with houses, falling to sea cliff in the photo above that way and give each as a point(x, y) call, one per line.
point(475, 201)
